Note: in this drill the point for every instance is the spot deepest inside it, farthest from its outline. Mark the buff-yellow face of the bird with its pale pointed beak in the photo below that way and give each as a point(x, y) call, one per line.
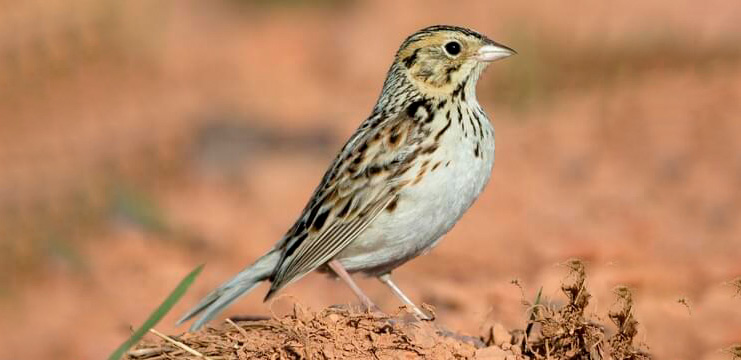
point(438, 61)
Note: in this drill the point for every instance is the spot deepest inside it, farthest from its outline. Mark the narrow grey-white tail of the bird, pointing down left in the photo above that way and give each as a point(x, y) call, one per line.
point(231, 290)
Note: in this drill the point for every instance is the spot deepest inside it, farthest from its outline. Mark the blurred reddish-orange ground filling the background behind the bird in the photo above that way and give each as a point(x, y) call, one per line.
point(139, 139)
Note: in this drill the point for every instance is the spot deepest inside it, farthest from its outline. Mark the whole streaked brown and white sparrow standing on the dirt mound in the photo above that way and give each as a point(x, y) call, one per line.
point(401, 181)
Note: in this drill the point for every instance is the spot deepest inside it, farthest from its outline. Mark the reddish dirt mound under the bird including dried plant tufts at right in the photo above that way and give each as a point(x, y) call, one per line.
point(551, 332)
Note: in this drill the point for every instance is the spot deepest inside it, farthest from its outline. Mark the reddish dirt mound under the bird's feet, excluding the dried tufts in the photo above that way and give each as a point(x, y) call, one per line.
point(333, 333)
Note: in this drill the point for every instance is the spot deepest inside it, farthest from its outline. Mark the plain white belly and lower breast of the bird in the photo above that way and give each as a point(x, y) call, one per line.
point(427, 210)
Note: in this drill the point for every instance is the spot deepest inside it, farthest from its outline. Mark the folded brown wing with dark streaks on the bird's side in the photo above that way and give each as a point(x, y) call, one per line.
point(362, 181)
